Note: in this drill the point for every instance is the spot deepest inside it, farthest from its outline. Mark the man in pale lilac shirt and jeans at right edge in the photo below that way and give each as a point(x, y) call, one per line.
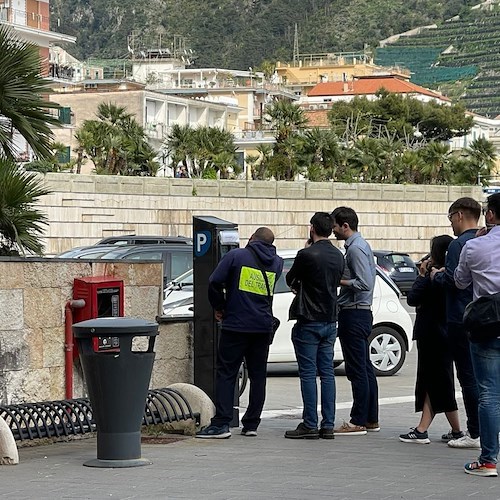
point(479, 265)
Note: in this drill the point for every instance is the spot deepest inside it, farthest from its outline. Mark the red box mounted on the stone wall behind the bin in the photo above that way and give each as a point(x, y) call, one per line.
point(104, 298)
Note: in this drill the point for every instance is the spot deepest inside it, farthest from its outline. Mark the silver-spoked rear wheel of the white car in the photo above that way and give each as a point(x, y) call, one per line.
point(387, 350)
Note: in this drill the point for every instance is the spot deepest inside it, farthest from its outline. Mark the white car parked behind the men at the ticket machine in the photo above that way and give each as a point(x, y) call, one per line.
point(391, 336)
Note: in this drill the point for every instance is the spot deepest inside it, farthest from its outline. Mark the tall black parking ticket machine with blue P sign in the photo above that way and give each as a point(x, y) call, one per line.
point(212, 239)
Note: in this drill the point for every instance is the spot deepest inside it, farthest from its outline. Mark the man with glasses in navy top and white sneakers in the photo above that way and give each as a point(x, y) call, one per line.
point(464, 216)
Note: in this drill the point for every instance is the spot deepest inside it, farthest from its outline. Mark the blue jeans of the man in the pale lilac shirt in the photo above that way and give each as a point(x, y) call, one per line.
point(486, 362)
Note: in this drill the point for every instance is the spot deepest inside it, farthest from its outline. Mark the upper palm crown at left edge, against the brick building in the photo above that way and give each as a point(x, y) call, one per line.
point(22, 107)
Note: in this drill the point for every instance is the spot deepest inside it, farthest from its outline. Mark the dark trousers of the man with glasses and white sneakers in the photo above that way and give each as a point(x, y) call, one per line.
point(460, 350)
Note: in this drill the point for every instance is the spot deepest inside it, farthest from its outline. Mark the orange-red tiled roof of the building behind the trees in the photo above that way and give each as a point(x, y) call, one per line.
point(370, 85)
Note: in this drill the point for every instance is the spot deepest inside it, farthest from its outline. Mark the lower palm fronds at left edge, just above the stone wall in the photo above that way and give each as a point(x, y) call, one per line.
point(21, 225)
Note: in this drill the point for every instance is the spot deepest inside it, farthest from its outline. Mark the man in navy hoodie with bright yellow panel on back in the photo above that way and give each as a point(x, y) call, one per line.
point(239, 295)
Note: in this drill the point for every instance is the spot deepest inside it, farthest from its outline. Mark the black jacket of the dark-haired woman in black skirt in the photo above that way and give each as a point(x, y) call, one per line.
point(429, 300)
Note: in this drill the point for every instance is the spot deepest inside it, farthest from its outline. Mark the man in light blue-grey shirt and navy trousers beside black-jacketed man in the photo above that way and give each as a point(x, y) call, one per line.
point(355, 323)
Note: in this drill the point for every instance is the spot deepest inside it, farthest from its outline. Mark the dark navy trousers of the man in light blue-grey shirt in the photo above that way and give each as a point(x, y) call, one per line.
point(354, 328)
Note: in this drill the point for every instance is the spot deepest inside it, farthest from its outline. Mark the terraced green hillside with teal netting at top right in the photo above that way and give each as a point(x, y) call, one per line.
point(461, 56)
